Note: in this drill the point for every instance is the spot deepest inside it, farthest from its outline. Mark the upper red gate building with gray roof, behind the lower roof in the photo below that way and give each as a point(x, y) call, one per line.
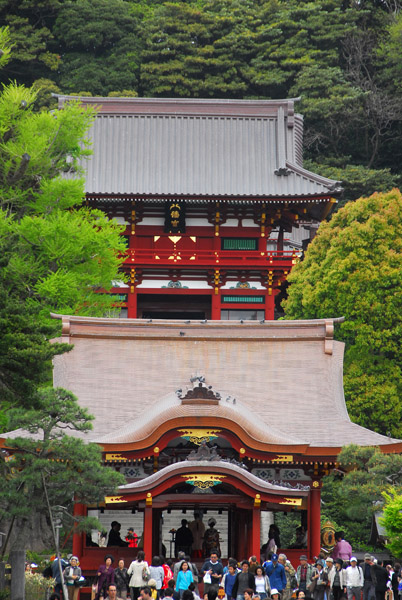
point(214, 198)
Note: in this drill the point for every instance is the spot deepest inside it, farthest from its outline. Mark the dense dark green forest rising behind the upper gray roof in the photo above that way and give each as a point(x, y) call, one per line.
point(342, 58)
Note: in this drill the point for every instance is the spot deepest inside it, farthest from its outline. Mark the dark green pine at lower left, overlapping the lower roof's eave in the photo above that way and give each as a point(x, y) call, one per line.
point(48, 468)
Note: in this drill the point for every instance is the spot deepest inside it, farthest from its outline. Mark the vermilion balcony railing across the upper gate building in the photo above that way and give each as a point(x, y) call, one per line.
point(203, 258)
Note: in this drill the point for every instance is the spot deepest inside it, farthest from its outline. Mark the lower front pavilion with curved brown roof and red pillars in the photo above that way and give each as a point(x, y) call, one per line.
point(232, 419)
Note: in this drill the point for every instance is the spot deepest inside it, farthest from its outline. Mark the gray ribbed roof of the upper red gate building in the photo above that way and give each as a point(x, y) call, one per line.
point(160, 147)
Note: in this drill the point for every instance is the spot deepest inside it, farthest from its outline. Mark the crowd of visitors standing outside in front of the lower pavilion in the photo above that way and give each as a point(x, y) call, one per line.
point(325, 578)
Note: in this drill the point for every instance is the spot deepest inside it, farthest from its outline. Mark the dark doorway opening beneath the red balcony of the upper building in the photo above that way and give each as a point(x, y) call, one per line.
point(174, 306)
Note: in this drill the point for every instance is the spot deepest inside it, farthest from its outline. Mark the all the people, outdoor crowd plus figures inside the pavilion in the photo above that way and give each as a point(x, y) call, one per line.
point(329, 577)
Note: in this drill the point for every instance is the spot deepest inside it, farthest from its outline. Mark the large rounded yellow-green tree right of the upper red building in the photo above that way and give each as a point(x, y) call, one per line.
point(353, 268)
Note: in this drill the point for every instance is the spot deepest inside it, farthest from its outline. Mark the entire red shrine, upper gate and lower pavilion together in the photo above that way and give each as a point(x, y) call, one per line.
point(202, 398)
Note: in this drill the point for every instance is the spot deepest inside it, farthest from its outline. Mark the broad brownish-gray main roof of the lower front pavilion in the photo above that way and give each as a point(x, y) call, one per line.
point(285, 375)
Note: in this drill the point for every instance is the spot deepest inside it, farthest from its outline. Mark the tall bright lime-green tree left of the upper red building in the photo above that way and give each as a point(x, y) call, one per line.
point(55, 254)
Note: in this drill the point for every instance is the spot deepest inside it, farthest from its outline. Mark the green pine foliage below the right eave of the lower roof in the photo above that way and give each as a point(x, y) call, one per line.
point(351, 499)
